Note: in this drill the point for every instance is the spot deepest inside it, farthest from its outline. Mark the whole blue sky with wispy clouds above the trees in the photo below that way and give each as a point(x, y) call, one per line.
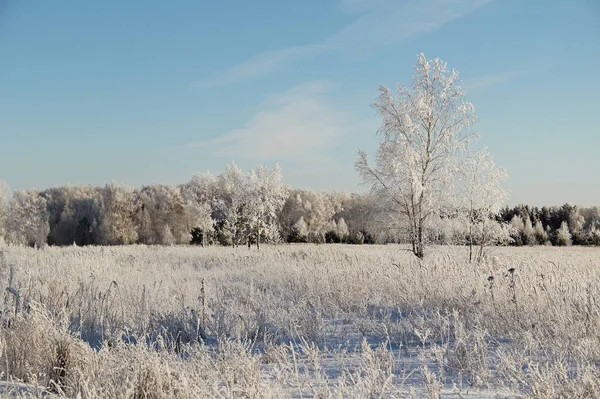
point(151, 91)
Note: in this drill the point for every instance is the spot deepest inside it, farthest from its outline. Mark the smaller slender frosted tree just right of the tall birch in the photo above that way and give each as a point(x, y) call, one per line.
point(481, 197)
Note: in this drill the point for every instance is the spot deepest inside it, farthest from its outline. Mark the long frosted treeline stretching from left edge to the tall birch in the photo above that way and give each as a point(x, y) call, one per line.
point(230, 209)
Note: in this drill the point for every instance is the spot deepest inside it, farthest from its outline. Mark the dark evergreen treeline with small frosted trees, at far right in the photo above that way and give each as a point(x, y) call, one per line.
point(557, 225)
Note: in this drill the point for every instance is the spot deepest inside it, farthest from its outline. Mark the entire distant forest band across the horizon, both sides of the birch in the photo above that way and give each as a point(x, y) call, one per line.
point(238, 208)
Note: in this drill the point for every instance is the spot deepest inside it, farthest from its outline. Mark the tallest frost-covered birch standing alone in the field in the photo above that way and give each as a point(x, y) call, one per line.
point(423, 133)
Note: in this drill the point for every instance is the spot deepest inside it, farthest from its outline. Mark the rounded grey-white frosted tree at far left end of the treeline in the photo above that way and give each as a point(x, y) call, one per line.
point(27, 219)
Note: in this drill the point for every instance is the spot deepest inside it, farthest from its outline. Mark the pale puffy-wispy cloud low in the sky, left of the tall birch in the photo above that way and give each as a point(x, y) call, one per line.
point(294, 124)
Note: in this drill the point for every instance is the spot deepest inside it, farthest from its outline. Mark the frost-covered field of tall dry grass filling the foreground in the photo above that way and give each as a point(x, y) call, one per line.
point(301, 321)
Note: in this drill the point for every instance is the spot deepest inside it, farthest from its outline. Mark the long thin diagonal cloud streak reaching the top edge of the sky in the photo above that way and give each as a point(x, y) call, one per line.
point(378, 23)
